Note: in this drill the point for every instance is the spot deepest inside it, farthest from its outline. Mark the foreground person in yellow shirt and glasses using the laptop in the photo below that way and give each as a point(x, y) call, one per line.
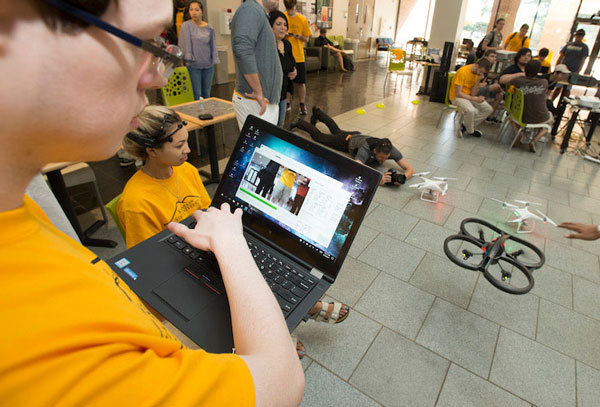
point(74, 333)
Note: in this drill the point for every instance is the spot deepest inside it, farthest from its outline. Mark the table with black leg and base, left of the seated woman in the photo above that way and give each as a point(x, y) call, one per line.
point(59, 189)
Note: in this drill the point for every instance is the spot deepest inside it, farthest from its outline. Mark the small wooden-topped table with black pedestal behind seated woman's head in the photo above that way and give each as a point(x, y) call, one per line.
point(221, 110)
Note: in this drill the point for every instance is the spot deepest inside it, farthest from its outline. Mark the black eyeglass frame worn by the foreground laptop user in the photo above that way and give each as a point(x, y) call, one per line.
point(125, 36)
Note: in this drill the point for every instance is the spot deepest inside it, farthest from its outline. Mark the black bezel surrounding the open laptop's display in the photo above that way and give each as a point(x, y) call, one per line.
point(270, 231)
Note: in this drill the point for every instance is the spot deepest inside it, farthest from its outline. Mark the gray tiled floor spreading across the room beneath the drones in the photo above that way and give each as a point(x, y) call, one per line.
point(423, 332)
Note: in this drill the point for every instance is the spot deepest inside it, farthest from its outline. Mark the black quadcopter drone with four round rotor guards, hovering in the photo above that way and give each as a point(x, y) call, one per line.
point(505, 260)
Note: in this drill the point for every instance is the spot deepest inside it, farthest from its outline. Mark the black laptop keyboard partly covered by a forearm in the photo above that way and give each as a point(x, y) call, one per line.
point(288, 283)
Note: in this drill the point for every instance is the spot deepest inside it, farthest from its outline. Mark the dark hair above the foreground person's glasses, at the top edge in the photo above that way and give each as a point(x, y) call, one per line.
point(57, 19)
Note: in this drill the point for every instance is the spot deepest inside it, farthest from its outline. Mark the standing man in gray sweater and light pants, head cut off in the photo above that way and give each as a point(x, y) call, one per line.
point(258, 70)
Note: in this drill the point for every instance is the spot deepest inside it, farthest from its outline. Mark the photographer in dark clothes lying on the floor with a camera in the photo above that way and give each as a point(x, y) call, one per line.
point(371, 151)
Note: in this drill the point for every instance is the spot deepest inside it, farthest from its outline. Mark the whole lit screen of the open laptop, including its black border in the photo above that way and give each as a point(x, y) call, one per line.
point(305, 198)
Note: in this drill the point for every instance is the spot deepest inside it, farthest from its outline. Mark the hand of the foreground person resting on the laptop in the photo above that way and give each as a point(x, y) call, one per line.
point(215, 229)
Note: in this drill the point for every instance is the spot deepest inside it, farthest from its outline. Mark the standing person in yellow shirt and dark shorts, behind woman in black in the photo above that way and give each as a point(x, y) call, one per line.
point(298, 35)
